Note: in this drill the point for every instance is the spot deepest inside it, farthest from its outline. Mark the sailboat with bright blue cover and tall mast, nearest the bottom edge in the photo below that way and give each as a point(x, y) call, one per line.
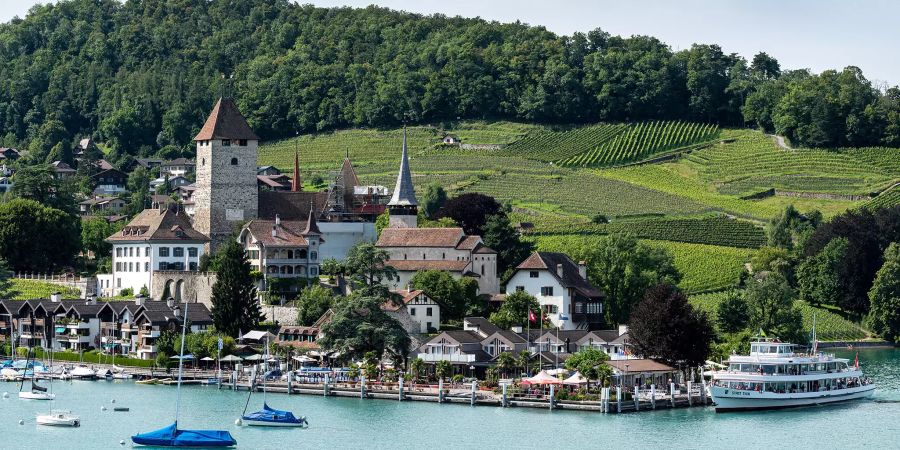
point(171, 436)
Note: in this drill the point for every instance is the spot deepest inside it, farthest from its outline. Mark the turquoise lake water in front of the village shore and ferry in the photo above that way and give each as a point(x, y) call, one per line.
point(356, 423)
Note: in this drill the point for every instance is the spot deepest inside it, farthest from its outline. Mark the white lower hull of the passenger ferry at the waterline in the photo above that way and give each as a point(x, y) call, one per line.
point(767, 401)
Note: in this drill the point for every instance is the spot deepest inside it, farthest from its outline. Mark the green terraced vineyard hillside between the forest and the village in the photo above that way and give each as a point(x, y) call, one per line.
point(691, 205)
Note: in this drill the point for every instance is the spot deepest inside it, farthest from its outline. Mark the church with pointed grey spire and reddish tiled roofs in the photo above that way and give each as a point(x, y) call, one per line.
point(412, 249)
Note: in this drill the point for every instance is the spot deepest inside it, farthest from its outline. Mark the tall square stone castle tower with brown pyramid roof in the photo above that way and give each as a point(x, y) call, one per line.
point(226, 194)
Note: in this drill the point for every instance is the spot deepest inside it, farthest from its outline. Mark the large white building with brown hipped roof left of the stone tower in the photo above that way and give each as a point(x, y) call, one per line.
point(155, 240)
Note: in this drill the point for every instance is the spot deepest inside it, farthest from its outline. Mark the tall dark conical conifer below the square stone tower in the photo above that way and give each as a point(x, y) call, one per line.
point(235, 307)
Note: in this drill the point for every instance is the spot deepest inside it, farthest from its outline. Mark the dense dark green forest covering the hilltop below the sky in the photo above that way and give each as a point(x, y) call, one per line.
point(140, 76)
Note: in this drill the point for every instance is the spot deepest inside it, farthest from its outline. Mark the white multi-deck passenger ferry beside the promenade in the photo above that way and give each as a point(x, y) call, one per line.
point(774, 377)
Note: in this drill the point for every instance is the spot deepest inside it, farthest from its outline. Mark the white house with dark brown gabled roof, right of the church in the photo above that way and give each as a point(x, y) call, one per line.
point(561, 287)
